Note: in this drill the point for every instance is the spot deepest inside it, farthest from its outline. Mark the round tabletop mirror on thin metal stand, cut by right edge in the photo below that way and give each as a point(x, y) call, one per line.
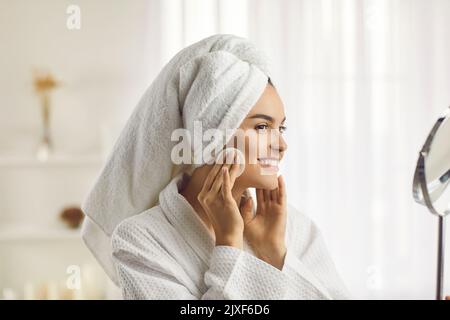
point(430, 185)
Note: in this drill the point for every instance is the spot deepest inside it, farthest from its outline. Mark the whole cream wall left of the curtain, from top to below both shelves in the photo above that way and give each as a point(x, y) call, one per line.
point(104, 67)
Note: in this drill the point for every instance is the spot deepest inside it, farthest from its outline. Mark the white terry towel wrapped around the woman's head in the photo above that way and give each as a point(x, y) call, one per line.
point(216, 82)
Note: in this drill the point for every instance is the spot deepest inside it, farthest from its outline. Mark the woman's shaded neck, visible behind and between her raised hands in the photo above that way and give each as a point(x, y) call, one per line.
point(193, 187)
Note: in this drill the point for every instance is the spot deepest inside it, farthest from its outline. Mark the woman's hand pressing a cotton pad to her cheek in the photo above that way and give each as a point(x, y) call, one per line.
point(217, 200)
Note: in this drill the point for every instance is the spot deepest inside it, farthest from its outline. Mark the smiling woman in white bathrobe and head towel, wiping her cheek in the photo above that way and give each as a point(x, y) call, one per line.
point(203, 238)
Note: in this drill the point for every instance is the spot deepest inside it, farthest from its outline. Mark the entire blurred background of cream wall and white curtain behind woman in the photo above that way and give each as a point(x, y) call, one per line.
point(362, 82)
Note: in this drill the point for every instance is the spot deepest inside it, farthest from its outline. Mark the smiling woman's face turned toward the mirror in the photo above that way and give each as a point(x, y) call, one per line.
point(264, 145)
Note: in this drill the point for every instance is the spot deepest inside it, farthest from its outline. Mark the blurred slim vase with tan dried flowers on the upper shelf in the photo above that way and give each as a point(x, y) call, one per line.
point(44, 83)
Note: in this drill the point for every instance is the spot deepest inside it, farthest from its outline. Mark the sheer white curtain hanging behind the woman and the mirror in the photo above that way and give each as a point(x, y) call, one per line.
point(362, 83)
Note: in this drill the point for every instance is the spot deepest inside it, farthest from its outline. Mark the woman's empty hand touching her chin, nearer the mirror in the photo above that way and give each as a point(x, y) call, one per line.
point(266, 230)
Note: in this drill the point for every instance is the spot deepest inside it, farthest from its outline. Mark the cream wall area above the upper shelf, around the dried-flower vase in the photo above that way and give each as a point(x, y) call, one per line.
point(104, 67)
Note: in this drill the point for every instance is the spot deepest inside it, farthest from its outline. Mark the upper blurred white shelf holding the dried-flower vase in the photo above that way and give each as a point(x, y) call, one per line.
point(53, 161)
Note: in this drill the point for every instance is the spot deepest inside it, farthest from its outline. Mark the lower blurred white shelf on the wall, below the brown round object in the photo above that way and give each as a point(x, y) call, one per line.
point(11, 232)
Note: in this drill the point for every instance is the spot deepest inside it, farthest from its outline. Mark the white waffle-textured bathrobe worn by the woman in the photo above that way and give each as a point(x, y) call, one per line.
point(167, 252)
